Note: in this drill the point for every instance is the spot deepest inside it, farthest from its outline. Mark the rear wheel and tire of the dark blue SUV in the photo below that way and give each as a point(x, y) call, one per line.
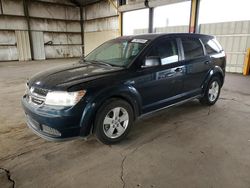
point(212, 92)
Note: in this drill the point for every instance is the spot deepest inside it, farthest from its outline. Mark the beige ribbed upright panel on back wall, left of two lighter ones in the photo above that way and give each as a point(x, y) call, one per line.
point(23, 45)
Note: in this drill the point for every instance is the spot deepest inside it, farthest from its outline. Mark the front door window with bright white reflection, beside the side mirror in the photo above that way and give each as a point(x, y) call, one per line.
point(166, 50)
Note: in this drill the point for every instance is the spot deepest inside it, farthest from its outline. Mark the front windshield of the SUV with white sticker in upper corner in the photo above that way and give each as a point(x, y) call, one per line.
point(117, 52)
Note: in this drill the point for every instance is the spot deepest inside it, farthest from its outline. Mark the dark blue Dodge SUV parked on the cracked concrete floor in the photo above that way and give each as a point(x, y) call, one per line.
point(124, 78)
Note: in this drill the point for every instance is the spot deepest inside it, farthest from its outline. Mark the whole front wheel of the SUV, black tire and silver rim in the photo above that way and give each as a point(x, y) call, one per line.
point(113, 121)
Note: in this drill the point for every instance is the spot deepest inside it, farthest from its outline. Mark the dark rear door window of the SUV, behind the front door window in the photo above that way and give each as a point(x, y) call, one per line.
point(192, 48)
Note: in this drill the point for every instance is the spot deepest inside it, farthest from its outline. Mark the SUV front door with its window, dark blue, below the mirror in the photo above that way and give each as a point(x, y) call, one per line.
point(160, 85)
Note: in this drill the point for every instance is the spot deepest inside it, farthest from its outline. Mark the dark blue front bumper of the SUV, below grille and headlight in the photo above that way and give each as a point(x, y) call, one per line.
point(53, 123)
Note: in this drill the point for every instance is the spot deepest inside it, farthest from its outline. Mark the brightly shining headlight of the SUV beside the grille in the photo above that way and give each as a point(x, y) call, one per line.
point(63, 98)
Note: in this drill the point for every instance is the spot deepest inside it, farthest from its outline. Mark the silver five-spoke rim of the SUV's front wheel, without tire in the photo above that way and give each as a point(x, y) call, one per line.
point(115, 122)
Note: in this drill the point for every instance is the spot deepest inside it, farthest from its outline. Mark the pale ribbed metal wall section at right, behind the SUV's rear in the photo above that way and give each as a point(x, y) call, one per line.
point(234, 37)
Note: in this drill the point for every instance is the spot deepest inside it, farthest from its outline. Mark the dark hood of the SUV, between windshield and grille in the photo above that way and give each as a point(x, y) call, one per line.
point(66, 75)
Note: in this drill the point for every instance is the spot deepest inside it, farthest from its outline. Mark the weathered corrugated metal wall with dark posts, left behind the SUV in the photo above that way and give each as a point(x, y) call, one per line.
point(55, 28)
